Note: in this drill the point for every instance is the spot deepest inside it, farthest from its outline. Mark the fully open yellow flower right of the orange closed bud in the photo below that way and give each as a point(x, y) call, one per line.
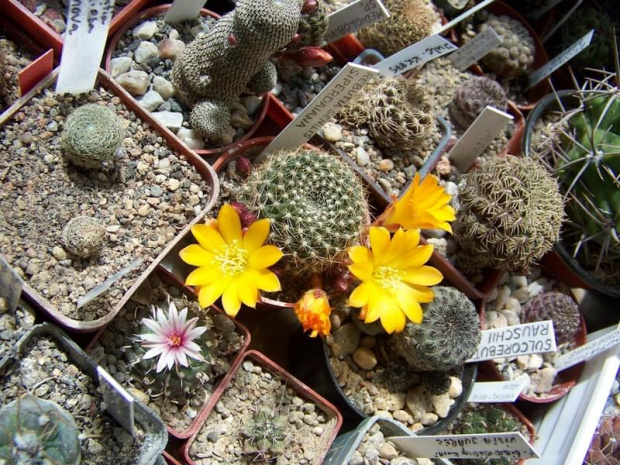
point(394, 280)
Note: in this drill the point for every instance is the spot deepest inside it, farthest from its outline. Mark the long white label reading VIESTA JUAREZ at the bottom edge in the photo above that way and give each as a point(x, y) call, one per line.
point(511, 446)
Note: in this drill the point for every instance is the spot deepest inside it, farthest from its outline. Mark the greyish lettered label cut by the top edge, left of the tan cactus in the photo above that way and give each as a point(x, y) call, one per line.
point(354, 17)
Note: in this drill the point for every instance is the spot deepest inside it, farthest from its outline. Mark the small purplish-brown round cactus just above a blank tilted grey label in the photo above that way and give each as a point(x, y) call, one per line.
point(471, 98)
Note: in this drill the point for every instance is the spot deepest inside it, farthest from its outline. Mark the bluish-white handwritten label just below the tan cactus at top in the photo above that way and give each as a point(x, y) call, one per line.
point(415, 55)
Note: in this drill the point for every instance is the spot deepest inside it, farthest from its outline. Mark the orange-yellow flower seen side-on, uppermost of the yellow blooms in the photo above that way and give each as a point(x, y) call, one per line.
point(425, 205)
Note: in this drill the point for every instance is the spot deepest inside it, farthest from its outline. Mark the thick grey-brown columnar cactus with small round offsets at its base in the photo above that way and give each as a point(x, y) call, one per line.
point(220, 65)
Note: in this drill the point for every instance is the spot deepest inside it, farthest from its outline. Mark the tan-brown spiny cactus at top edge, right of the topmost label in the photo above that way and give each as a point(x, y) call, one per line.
point(410, 21)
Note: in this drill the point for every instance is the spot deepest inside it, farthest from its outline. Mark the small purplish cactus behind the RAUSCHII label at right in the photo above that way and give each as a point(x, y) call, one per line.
point(558, 307)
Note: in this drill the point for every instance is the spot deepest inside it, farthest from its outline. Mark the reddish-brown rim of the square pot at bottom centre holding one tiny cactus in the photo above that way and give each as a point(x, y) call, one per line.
point(301, 390)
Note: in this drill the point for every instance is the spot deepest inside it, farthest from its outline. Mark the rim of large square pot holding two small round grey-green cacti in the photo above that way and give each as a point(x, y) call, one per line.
point(205, 171)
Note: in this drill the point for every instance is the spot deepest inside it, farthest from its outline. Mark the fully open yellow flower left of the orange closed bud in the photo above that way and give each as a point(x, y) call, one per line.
point(231, 264)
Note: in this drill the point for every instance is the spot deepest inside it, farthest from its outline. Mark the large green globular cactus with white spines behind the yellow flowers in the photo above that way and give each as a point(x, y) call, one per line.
point(316, 205)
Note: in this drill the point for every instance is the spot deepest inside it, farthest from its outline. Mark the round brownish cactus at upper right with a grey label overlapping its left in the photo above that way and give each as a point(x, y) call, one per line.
point(515, 55)
